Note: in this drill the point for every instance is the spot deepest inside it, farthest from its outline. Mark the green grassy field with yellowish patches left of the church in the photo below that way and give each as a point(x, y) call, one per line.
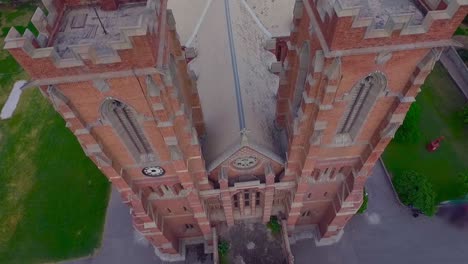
point(53, 197)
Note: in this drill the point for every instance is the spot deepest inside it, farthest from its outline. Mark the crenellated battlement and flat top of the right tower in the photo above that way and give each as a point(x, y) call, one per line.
point(382, 17)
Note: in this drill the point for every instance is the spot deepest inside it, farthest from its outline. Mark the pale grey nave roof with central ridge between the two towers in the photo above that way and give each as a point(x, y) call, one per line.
point(236, 88)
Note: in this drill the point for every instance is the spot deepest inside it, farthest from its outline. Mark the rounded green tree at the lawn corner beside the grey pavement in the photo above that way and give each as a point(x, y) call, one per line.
point(416, 190)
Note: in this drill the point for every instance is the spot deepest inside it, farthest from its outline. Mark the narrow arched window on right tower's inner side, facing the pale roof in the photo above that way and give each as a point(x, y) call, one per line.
point(304, 62)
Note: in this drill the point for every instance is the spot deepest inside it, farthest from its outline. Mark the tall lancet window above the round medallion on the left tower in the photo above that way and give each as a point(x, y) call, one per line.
point(123, 120)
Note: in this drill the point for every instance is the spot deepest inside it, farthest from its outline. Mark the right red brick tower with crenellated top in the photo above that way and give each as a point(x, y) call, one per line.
point(352, 71)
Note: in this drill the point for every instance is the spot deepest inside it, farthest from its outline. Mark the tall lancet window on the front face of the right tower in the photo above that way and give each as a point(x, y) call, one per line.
point(361, 100)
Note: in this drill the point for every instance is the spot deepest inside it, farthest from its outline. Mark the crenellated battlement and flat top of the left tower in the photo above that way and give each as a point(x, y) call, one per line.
point(70, 34)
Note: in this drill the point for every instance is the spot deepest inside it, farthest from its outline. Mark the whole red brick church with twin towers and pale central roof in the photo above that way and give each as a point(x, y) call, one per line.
point(203, 114)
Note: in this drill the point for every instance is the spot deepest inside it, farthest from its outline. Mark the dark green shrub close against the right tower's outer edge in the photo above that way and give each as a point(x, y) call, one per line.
point(409, 130)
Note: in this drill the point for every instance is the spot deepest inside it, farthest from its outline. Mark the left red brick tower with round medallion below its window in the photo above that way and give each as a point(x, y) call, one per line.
point(116, 73)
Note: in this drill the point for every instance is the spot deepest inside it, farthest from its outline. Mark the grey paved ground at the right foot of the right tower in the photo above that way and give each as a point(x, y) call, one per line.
point(388, 234)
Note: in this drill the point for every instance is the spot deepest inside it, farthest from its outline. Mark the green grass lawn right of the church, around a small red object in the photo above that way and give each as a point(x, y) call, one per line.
point(440, 102)
